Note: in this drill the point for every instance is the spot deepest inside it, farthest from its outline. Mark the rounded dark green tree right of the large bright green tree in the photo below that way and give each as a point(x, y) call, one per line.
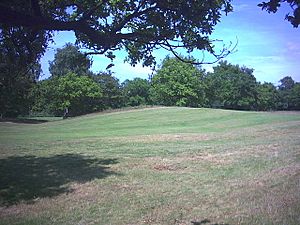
point(231, 87)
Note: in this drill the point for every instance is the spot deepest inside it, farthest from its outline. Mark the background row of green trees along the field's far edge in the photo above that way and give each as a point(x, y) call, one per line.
point(72, 86)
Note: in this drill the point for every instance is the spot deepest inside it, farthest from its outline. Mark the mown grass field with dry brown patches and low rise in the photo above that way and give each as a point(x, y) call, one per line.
point(152, 166)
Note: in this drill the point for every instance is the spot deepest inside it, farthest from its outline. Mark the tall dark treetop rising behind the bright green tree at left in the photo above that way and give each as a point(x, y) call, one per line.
point(69, 60)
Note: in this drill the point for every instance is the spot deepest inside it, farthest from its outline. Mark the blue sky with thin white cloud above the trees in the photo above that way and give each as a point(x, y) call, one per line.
point(265, 42)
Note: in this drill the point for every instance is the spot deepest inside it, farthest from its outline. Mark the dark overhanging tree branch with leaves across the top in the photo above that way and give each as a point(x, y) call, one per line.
point(139, 27)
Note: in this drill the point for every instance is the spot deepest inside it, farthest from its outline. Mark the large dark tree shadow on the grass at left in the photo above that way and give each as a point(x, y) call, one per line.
point(27, 178)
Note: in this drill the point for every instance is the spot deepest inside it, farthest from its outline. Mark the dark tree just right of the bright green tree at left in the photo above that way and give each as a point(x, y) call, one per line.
point(112, 92)
